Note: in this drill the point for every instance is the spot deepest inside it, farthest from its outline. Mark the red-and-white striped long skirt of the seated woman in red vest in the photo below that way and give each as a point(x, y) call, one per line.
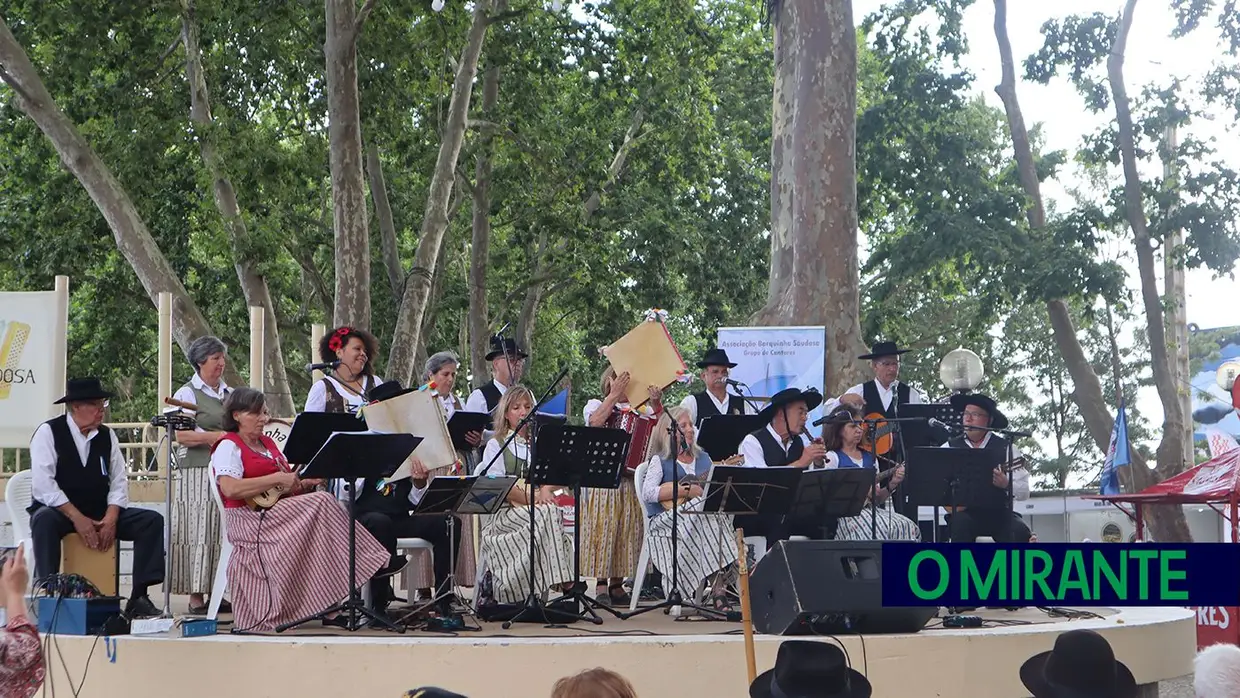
point(293, 560)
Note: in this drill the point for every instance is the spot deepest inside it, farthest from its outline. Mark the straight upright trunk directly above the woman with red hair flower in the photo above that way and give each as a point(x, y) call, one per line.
point(353, 242)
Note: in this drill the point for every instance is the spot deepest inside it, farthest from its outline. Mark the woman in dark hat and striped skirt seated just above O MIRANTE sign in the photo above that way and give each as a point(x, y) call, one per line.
point(843, 436)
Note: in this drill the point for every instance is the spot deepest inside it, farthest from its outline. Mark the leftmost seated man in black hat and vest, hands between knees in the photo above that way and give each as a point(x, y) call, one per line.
point(80, 485)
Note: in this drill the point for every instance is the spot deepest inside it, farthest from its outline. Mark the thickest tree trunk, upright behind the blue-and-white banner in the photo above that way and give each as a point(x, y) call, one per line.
point(814, 268)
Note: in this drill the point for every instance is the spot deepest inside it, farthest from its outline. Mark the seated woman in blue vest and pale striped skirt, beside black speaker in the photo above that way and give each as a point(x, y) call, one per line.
point(706, 542)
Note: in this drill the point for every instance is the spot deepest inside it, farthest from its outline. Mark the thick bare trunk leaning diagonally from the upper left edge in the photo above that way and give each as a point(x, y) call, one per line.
point(133, 240)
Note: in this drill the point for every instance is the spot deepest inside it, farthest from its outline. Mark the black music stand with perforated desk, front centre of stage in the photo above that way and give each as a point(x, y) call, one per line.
point(581, 457)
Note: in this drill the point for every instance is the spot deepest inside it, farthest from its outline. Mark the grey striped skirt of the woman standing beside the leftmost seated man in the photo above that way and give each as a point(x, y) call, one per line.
point(195, 532)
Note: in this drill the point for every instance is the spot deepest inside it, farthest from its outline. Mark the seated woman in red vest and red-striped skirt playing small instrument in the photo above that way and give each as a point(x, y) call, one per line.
point(290, 561)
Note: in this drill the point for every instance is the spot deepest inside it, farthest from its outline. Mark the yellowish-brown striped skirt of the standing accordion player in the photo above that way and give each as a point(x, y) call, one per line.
point(611, 531)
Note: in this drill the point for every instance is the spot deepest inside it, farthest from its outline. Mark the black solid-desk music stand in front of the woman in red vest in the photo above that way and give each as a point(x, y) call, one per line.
point(356, 457)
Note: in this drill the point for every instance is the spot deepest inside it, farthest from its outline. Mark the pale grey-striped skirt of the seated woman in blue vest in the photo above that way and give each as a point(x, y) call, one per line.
point(706, 544)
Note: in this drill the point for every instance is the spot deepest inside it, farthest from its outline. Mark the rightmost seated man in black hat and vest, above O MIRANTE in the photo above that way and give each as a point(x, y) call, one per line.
point(1003, 525)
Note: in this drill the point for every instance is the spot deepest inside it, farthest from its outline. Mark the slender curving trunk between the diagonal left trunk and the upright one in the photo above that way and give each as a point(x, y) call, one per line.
point(252, 283)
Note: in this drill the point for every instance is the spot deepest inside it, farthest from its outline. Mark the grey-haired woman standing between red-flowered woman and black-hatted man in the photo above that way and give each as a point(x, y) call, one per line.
point(441, 375)
